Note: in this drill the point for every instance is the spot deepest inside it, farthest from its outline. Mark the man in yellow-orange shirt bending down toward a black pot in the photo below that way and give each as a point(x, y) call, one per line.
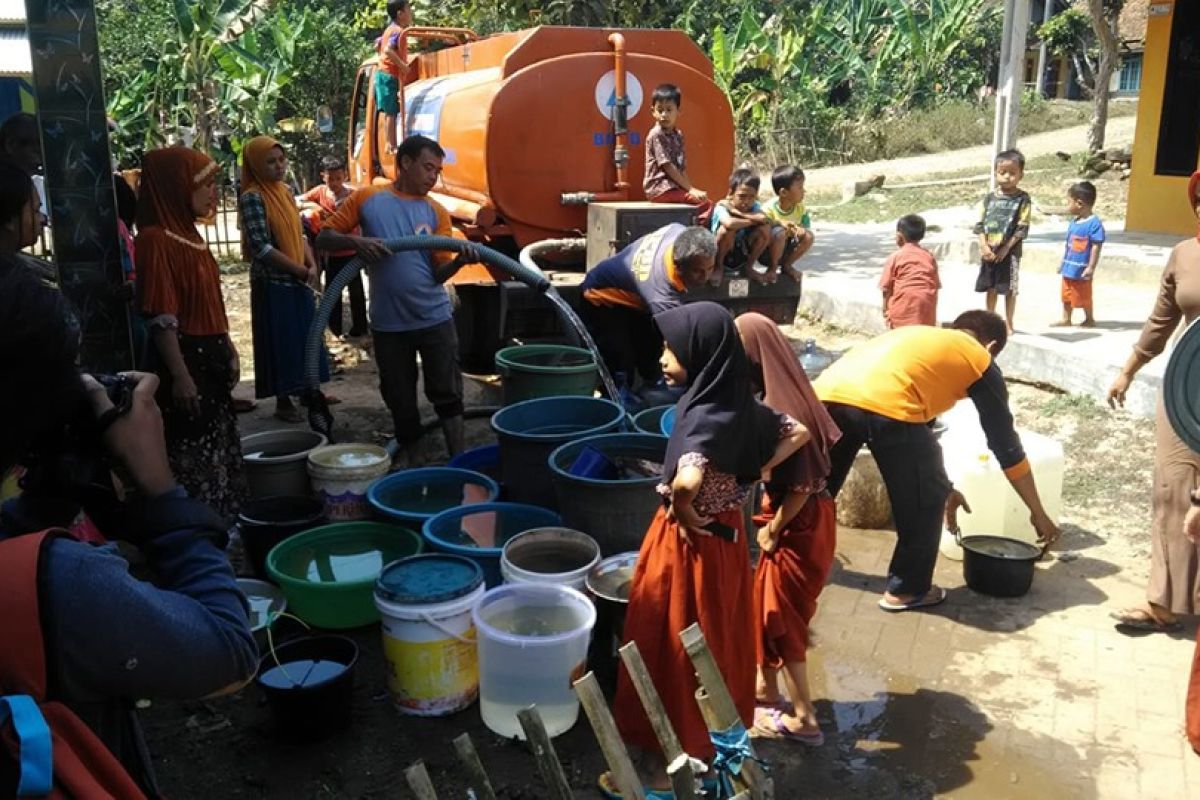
point(884, 394)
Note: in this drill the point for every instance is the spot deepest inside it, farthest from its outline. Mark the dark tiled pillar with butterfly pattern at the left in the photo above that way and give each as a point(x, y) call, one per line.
point(80, 177)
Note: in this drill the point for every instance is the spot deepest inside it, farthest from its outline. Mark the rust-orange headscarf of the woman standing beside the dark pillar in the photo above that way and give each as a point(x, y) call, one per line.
point(170, 177)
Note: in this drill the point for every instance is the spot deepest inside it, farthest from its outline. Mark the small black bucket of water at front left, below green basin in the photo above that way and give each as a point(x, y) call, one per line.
point(310, 689)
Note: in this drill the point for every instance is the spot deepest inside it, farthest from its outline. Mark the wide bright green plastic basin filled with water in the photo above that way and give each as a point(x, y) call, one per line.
point(328, 574)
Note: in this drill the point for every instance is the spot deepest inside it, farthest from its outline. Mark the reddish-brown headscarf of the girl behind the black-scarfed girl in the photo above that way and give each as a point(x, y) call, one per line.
point(787, 389)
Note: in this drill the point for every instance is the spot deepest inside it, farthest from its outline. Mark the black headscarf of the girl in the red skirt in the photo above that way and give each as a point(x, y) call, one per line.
point(718, 417)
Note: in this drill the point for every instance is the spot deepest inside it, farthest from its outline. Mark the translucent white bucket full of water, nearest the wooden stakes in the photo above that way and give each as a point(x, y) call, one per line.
point(533, 645)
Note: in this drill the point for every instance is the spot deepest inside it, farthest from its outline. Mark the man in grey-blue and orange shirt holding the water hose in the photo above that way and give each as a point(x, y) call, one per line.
point(411, 311)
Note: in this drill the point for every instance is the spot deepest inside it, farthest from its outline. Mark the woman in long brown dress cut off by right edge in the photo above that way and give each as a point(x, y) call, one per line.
point(1174, 566)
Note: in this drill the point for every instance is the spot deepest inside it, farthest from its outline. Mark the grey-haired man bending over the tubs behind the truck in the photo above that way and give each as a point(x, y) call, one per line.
point(622, 294)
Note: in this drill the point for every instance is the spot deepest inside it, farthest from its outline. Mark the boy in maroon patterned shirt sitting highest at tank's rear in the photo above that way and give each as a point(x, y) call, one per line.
point(667, 173)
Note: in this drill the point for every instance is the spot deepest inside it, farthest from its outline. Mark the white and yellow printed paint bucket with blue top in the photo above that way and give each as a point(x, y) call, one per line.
point(429, 640)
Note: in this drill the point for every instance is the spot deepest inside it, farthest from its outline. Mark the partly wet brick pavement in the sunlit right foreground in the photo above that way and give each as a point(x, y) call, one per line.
point(1033, 697)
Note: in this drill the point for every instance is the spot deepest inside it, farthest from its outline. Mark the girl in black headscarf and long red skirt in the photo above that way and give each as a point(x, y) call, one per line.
point(694, 566)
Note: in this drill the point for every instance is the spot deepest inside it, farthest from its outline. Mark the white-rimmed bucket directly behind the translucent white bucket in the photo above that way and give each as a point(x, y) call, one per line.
point(550, 556)
